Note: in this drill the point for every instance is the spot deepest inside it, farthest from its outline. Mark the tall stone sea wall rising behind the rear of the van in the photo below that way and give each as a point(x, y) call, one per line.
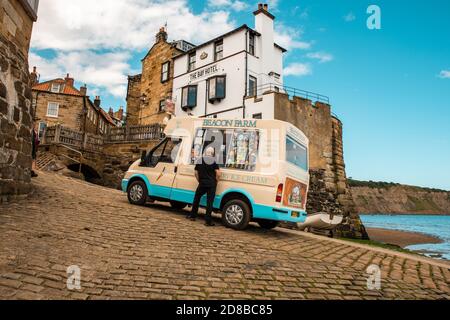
point(329, 189)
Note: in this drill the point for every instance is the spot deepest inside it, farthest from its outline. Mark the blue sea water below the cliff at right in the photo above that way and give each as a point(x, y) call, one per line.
point(437, 226)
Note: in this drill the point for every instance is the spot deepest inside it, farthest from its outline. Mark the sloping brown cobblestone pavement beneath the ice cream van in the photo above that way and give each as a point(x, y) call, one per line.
point(128, 252)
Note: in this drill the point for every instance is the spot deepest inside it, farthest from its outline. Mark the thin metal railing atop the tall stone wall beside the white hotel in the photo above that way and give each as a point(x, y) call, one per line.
point(290, 91)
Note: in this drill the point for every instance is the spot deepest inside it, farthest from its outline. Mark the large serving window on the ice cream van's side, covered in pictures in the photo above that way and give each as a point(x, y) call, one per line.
point(236, 149)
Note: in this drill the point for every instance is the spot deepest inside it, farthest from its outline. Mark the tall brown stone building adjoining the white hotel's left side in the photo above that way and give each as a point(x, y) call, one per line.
point(148, 91)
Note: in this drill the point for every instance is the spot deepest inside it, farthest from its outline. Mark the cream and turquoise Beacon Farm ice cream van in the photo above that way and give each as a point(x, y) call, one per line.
point(264, 170)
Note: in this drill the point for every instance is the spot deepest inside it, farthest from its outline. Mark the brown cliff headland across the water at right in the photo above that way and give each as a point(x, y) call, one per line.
point(390, 198)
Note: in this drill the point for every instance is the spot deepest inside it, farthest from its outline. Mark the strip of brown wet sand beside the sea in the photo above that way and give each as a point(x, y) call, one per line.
point(400, 238)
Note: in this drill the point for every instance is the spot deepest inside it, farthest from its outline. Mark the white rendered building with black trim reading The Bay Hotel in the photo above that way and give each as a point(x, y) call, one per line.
point(226, 77)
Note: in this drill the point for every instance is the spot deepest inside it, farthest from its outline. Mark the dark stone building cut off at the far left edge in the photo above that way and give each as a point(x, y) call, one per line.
point(16, 122)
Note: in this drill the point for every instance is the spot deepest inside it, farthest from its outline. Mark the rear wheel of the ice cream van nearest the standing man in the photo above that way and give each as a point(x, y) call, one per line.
point(236, 209)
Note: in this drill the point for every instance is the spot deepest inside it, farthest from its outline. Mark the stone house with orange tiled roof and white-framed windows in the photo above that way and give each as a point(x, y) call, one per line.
point(57, 101)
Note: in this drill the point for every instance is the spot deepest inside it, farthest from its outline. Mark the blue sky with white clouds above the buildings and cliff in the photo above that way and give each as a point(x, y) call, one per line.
point(389, 86)
